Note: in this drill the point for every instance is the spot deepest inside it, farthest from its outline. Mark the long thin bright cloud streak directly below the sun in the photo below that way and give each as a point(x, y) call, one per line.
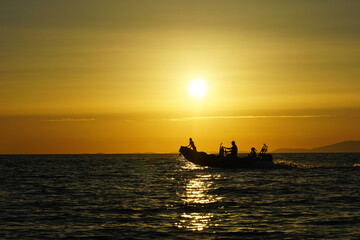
point(249, 117)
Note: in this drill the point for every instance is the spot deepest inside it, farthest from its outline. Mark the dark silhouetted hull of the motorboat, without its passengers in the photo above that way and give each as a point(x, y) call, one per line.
point(211, 160)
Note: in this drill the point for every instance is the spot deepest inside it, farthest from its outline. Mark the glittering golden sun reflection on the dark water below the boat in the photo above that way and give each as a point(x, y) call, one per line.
point(196, 196)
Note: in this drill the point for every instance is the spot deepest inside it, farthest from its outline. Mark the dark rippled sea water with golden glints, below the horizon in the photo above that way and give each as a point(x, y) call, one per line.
point(164, 196)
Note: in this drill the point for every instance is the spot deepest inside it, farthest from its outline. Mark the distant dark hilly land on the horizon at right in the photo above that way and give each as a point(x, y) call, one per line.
point(346, 146)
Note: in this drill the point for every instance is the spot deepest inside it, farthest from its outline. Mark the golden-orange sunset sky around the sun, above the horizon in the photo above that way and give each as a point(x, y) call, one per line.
point(112, 76)
